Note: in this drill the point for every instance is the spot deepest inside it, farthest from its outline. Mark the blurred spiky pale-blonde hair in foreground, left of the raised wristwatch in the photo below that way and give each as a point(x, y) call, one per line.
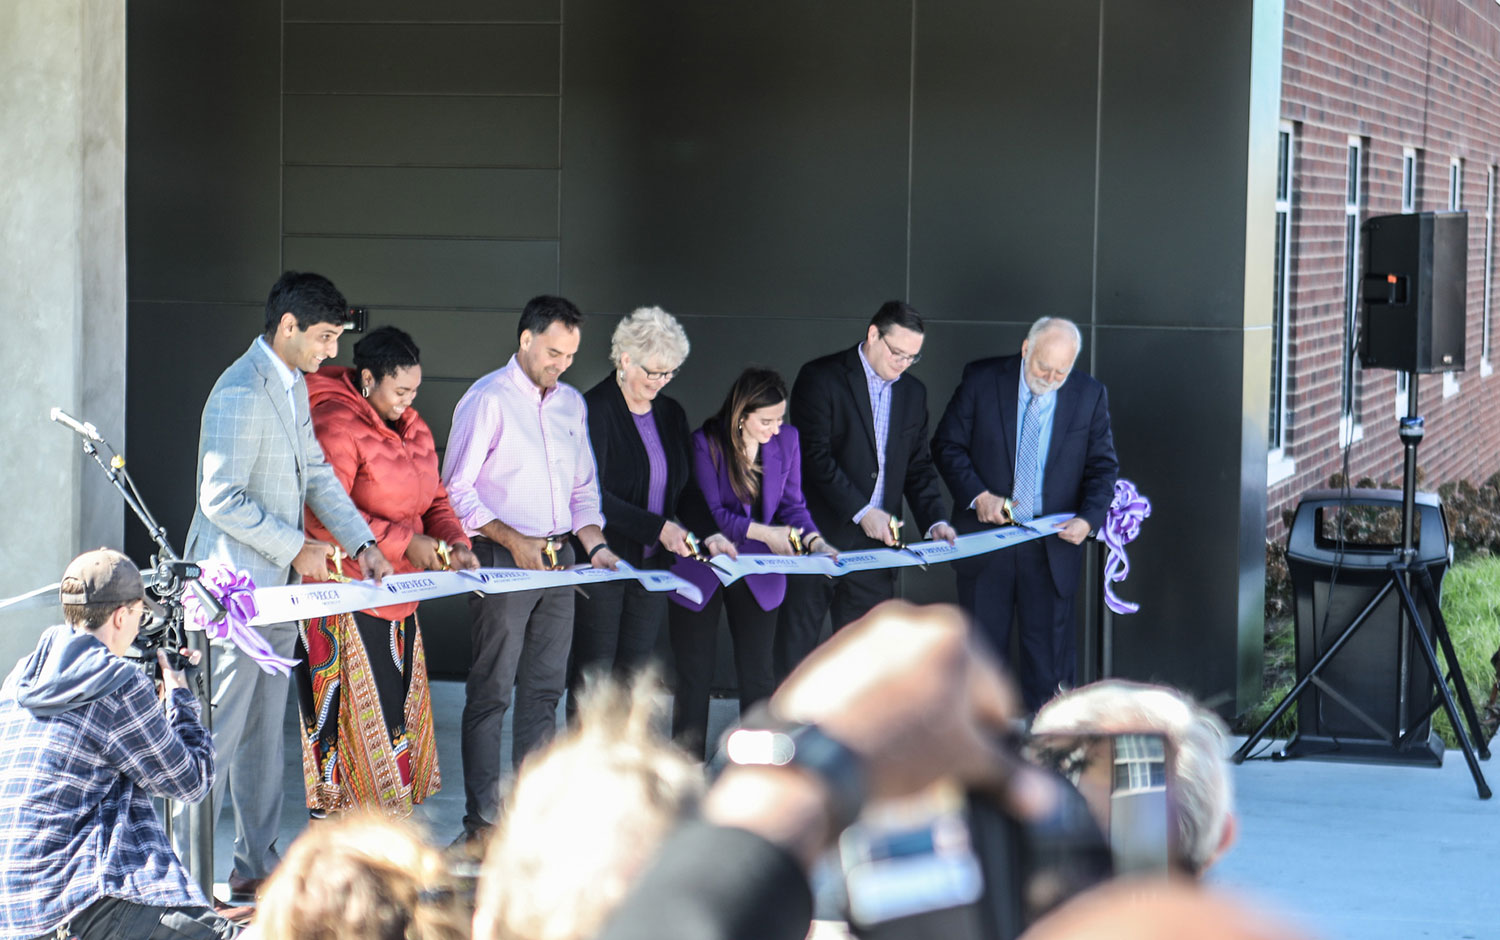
point(584, 819)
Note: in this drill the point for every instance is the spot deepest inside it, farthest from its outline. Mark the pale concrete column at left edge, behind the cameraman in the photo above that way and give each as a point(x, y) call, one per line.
point(62, 263)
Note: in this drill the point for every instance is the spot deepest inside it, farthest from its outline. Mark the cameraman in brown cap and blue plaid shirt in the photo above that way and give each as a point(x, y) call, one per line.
point(85, 743)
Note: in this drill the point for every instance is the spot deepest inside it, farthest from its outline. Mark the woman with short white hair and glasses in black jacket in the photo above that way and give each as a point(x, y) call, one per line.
point(641, 448)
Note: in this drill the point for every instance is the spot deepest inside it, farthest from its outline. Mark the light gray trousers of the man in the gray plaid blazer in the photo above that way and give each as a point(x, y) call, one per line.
point(250, 708)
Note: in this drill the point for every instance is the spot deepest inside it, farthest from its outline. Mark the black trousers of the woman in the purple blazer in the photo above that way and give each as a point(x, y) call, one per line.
point(695, 647)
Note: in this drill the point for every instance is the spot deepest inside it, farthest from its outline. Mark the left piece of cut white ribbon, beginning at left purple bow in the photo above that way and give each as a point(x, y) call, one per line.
point(326, 599)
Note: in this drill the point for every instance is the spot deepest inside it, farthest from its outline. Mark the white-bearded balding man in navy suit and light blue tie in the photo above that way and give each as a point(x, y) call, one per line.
point(977, 449)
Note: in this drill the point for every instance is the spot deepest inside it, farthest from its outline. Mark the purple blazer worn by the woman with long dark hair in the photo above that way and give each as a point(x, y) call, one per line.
point(781, 504)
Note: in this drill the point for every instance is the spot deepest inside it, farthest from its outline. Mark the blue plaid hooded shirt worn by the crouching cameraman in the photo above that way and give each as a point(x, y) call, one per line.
point(76, 815)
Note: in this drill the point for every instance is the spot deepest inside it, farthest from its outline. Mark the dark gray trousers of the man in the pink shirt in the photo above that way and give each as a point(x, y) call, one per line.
point(520, 642)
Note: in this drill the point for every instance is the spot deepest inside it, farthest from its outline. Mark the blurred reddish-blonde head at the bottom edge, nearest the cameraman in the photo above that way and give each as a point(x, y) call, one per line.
point(361, 878)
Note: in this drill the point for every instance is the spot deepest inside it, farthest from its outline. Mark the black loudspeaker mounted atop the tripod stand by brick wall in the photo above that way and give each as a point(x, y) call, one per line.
point(1415, 293)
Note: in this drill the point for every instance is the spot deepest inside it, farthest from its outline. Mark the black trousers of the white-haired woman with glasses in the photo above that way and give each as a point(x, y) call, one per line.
point(614, 632)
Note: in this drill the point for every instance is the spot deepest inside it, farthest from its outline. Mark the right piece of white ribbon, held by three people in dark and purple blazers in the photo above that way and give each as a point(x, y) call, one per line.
point(730, 570)
